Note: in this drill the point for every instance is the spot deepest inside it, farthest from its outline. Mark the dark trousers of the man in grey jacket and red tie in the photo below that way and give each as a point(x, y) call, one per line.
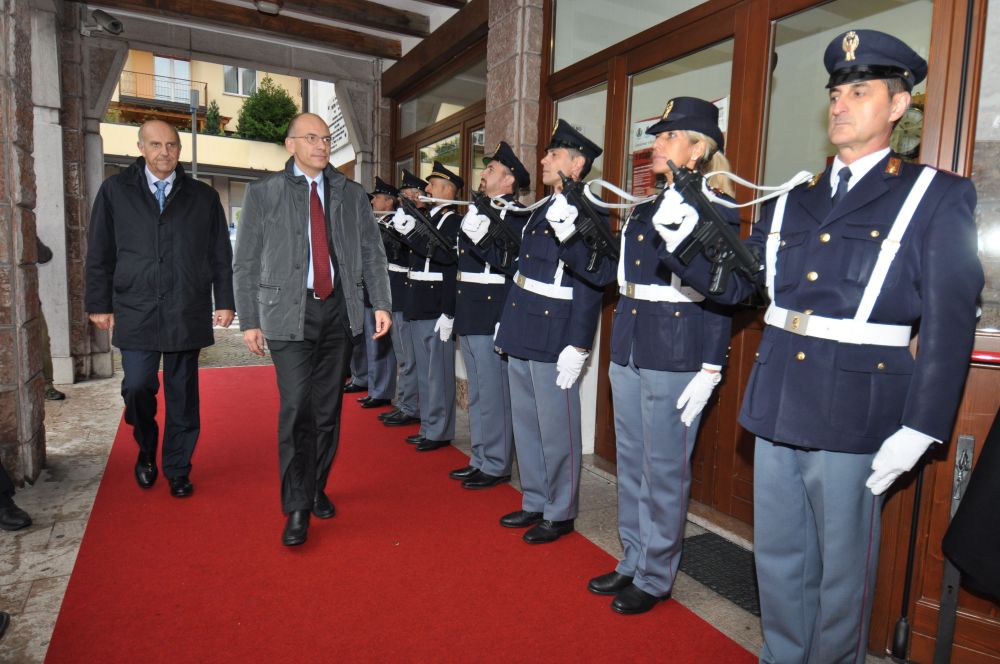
point(311, 376)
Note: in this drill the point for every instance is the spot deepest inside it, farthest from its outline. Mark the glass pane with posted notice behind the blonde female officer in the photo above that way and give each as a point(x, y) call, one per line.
point(705, 74)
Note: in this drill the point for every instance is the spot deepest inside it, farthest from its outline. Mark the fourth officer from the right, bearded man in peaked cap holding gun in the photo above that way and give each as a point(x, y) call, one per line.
point(482, 290)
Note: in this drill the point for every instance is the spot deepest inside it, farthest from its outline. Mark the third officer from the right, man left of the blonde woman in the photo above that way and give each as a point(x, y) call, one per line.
point(547, 329)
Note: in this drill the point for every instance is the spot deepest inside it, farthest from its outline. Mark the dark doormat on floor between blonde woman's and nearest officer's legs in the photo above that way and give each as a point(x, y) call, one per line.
point(724, 567)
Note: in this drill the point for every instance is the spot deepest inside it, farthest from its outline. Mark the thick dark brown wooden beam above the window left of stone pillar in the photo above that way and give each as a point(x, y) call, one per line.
point(464, 28)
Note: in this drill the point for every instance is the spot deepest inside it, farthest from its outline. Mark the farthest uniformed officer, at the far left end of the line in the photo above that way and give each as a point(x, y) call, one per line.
point(381, 359)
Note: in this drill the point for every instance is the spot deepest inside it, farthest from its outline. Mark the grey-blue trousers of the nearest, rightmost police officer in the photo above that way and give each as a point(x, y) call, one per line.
point(817, 500)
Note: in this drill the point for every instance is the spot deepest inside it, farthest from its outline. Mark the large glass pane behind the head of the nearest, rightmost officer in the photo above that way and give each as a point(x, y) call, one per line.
point(796, 137)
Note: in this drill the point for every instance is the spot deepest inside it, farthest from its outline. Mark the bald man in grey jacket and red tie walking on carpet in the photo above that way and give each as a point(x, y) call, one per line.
point(306, 241)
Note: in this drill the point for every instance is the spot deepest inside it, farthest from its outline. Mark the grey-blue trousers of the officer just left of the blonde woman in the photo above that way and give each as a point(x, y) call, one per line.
point(546, 422)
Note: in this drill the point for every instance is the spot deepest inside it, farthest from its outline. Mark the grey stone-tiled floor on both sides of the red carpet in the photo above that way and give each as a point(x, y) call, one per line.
point(35, 563)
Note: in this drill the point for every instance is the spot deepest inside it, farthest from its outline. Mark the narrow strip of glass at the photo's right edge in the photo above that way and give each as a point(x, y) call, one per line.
point(986, 175)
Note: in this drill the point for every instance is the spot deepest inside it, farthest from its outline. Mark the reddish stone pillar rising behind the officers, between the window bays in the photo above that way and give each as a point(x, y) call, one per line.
point(513, 73)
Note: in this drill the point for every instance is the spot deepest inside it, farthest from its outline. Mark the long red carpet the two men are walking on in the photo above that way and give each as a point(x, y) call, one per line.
point(412, 569)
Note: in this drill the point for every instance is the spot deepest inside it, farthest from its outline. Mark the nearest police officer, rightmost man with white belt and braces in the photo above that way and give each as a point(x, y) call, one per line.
point(855, 260)
